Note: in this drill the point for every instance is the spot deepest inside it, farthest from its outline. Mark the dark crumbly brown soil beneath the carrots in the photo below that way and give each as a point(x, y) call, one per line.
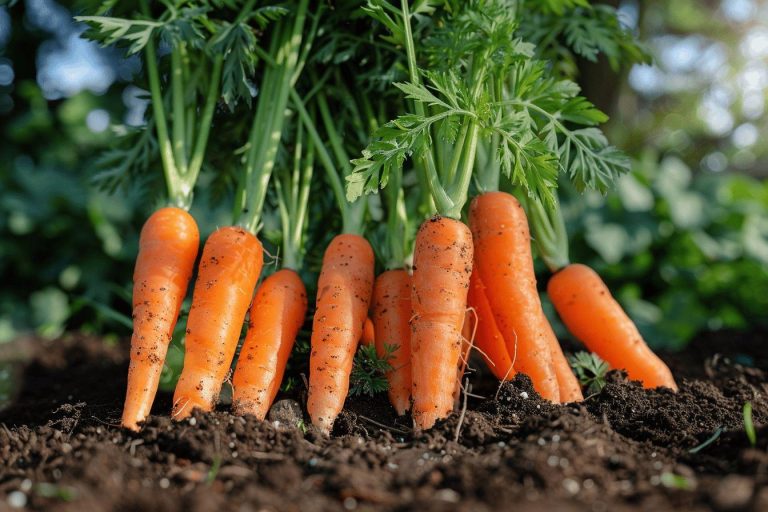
point(623, 449)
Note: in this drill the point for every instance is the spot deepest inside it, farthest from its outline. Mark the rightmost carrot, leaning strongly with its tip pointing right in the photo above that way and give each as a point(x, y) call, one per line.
point(591, 313)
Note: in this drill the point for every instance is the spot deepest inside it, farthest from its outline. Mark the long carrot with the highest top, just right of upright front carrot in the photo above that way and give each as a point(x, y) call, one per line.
point(505, 264)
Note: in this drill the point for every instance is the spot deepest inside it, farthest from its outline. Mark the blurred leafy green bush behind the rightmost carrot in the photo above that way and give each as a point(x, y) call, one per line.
point(683, 252)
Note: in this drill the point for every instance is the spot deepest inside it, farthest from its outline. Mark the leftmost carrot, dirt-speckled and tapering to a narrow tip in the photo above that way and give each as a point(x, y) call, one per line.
point(168, 247)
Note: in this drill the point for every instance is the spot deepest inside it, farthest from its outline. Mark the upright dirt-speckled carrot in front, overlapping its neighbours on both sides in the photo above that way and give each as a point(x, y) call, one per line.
point(442, 266)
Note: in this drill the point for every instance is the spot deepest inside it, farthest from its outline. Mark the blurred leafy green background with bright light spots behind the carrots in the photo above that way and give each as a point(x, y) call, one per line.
point(682, 241)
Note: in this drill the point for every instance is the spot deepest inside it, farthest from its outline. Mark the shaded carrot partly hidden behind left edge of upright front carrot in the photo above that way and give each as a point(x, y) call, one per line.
point(391, 315)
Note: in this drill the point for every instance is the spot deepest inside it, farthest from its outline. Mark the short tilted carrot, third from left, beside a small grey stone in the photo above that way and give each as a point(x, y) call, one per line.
point(277, 314)
